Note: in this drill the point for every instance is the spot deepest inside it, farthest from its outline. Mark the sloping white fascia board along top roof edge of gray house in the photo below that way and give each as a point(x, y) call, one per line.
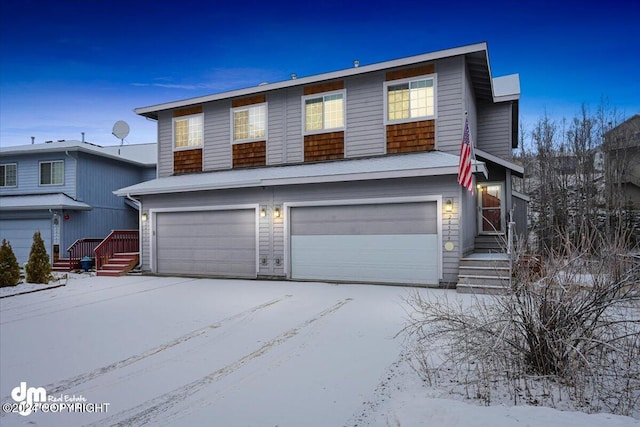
point(463, 50)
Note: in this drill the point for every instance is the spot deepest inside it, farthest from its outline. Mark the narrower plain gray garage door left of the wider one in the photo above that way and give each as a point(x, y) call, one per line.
point(217, 243)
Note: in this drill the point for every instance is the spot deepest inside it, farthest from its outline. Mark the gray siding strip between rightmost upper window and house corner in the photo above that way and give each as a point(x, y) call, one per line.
point(450, 118)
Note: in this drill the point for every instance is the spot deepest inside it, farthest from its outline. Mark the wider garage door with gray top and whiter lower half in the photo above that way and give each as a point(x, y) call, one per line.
point(387, 243)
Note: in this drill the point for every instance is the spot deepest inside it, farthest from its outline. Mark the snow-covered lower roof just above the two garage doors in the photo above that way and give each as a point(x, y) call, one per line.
point(423, 164)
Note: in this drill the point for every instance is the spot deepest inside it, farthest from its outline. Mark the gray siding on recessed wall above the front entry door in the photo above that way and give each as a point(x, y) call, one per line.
point(494, 129)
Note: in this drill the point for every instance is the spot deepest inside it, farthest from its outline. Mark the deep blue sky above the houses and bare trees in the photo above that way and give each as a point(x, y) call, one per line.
point(70, 66)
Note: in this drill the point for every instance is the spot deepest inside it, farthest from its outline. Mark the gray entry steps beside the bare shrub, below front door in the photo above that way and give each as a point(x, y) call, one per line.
point(484, 273)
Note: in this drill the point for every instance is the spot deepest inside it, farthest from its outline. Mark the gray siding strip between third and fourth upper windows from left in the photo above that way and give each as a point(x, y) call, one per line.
point(365, 130)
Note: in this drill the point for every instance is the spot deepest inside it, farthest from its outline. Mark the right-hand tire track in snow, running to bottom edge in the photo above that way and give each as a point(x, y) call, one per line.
point(151, 409)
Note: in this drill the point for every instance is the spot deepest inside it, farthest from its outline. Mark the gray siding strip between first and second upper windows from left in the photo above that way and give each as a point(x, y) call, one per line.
point(217, 136)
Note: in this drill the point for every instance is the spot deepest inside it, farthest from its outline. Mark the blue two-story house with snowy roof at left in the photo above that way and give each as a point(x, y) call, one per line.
point(64, 189)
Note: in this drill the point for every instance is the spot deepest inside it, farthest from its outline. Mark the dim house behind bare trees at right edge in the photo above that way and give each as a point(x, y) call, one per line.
point(622, 162)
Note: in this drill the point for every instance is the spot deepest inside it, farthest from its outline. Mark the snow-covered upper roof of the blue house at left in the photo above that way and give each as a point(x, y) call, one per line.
point(142, 154)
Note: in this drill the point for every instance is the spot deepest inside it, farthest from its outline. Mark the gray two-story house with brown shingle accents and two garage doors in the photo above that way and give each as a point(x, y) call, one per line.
point(345, 176)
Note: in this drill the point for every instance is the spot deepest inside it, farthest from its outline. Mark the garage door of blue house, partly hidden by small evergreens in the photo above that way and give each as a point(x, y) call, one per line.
point(20, 233)
